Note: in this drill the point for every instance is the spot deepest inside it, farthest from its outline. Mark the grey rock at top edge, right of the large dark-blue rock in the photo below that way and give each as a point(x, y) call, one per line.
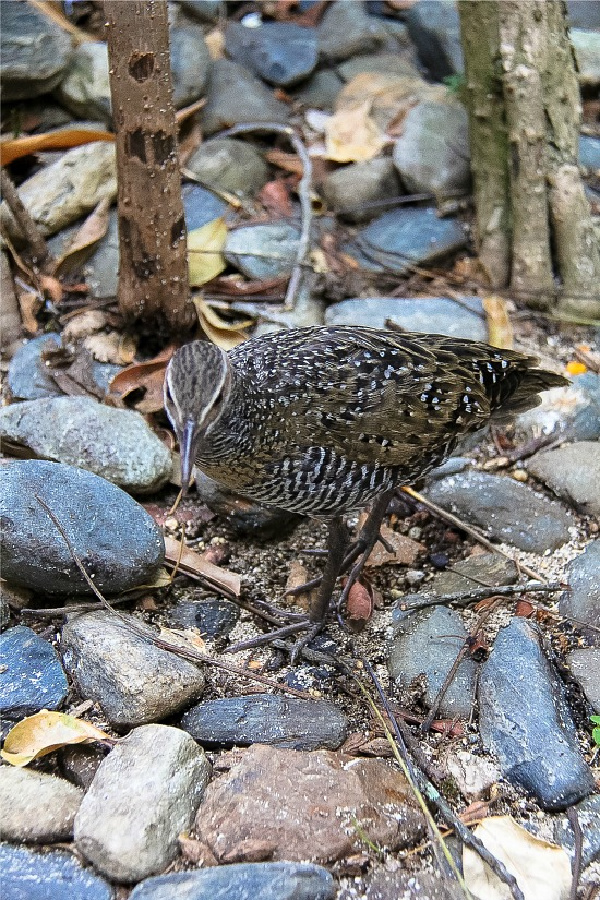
point(346, 30)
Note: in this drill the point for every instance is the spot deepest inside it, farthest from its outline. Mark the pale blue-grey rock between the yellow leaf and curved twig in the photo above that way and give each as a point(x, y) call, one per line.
point(275, 248)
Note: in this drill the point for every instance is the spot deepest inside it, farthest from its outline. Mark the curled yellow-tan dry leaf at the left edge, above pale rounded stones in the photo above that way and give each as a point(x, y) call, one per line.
point(44, 732)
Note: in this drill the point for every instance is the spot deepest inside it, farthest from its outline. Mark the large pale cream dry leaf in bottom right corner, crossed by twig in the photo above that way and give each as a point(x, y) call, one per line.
point(542, 869)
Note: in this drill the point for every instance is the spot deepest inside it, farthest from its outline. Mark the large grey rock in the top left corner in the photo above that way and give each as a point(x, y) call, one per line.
point(34, 52)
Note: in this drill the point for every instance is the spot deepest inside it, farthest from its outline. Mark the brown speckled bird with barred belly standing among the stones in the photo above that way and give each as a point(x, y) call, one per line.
point(326, 420)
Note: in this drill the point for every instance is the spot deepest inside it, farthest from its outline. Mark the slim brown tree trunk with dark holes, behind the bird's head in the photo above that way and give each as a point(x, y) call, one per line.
point(153, 273)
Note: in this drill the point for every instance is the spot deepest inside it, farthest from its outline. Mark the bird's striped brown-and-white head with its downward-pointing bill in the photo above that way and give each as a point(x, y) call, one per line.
point(197, 386)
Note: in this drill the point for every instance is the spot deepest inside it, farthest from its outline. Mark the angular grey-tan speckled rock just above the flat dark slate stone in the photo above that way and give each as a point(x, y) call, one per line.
point(124, 672)
